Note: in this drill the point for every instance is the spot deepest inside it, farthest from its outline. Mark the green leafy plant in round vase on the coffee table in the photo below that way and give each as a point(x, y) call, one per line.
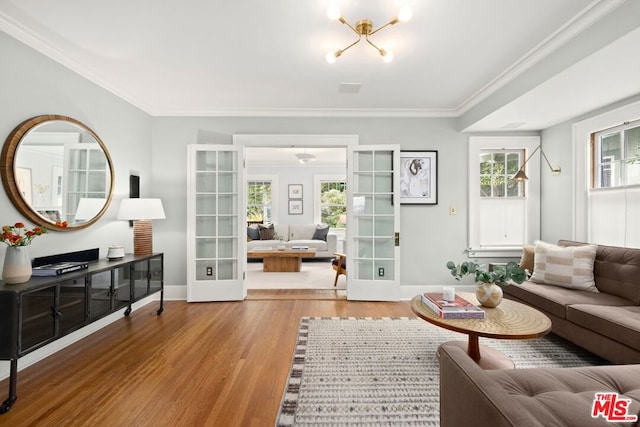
point(489, 292)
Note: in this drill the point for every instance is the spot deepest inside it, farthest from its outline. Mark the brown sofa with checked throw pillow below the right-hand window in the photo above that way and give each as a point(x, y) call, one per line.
point(597, 308)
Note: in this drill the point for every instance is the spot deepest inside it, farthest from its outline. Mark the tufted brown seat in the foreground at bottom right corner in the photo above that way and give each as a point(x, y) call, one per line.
point(541, 397)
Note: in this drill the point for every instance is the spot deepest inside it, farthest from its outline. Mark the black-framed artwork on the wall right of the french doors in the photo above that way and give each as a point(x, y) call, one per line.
point(418, 177)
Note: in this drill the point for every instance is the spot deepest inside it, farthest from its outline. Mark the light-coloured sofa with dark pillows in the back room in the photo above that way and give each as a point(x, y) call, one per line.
point(315, 236)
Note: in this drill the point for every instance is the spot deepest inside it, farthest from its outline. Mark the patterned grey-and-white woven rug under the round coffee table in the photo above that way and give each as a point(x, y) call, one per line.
point(384, 371)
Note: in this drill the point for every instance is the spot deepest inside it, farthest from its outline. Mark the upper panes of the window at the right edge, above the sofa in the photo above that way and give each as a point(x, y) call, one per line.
point(616, 159)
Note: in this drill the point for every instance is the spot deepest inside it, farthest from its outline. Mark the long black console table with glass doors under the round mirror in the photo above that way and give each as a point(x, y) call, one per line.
point(44, 309)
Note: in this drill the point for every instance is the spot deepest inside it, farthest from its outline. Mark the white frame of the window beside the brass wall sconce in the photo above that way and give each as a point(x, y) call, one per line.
point(477, 144)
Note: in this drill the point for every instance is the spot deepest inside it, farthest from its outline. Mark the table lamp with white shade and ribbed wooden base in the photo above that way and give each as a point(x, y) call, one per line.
point(141, 212)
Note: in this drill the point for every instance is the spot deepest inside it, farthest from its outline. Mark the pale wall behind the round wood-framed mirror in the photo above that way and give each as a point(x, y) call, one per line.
point(31, 85)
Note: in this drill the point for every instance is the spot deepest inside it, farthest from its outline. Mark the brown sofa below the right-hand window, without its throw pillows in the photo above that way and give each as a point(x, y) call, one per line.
point(606, 323)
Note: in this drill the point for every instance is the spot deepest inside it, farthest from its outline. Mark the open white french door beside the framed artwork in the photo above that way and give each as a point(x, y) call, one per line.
point(373, 223)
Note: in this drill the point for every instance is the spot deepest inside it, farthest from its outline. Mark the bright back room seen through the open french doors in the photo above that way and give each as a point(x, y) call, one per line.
point(296, 187)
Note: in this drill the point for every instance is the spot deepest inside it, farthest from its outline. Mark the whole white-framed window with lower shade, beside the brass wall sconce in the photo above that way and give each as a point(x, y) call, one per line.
point(503, 213)
